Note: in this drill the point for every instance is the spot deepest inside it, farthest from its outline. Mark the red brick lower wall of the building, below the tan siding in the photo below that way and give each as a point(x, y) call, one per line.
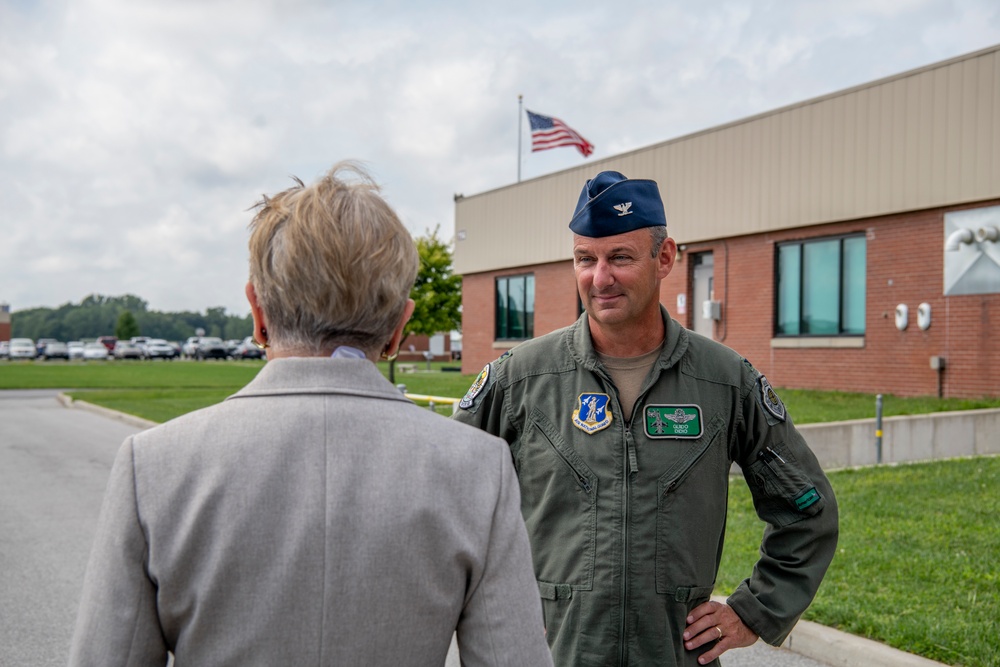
point(905, 264)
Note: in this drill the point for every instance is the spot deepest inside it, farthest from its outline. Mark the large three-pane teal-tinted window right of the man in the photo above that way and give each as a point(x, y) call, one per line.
point(821, 287)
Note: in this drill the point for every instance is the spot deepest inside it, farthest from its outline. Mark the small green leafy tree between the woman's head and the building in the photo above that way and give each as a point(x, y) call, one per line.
point(436, 293)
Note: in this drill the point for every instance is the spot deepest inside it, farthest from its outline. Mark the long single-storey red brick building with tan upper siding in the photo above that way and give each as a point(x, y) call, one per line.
point(849, 242)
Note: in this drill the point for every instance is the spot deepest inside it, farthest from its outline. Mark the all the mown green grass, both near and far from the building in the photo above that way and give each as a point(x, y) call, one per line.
point(918, 564)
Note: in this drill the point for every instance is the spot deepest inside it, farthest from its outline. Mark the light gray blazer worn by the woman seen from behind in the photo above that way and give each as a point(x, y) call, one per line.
point(316, 517)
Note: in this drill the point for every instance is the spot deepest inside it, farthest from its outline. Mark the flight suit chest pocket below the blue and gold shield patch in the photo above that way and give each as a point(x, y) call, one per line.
point(559, 504)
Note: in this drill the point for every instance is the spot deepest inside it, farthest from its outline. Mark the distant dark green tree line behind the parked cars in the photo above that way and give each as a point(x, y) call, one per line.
point(99, 315)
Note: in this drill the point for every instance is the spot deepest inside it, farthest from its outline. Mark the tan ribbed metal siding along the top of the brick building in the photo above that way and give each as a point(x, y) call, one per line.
point(922, 139)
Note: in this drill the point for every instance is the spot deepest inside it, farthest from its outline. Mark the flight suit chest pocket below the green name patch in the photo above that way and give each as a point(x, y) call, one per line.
point(691, 514)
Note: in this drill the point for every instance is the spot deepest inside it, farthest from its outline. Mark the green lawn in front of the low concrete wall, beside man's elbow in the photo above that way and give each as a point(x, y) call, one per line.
point(918, 563)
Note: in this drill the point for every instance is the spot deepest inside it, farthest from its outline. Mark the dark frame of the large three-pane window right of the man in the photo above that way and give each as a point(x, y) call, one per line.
point(842, 293)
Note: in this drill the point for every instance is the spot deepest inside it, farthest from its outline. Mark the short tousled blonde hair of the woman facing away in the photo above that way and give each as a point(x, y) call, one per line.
point(331, 264)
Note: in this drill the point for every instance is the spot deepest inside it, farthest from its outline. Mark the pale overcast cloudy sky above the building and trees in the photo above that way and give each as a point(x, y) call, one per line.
point(135, 134)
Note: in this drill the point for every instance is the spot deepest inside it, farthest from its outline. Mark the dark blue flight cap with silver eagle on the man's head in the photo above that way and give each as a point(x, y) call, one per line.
point(612, 204)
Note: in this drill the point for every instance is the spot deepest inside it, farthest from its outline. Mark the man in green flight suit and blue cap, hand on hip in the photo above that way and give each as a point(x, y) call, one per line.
point(623, 428)
